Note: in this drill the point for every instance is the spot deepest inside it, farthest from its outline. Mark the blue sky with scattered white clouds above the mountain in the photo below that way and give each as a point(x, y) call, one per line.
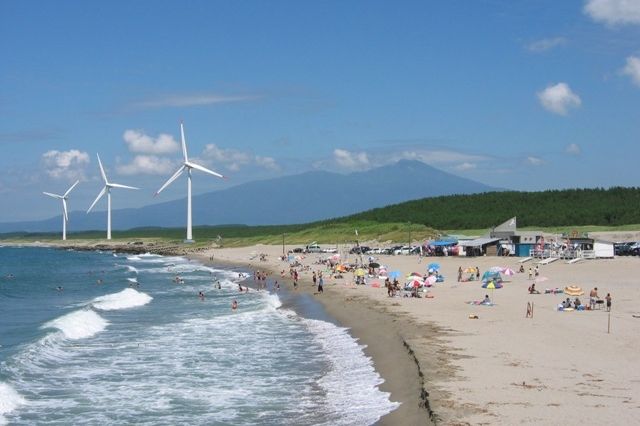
point(527, 95)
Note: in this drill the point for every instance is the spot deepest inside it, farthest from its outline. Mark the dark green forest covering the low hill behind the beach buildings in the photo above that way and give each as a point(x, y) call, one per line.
point(569, 207)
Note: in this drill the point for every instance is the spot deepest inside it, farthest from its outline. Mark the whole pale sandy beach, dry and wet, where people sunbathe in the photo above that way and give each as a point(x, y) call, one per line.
point(502, 368)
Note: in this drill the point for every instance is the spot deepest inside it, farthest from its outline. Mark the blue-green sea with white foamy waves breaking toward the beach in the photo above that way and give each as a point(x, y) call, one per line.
point(105, 338)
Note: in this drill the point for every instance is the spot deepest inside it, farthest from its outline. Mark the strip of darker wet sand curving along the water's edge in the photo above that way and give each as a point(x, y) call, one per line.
point(386, 345)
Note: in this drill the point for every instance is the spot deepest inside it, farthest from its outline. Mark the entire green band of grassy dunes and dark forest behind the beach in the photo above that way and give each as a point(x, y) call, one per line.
point(556, 211)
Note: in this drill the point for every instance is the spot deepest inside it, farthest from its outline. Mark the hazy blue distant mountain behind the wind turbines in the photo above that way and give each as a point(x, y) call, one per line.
point(300, 198)
